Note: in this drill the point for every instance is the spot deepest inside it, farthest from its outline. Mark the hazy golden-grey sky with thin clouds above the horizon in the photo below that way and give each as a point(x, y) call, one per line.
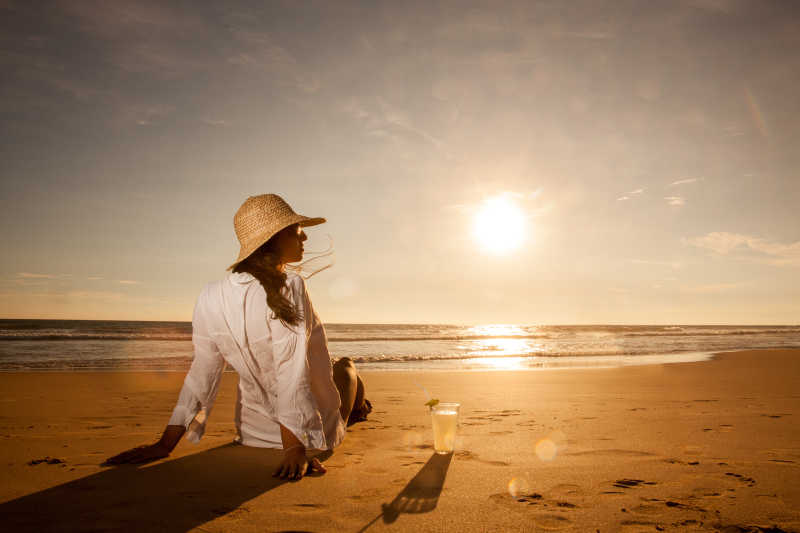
point(649, 149)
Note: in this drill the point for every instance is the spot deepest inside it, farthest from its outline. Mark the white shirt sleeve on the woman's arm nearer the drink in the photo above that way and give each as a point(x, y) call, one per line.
point(296, 407)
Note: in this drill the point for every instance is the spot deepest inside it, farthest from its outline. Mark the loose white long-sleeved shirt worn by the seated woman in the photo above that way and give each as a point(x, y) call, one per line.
point(285, 373)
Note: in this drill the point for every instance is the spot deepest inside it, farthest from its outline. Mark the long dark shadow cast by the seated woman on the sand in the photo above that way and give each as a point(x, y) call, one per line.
point(172, 496)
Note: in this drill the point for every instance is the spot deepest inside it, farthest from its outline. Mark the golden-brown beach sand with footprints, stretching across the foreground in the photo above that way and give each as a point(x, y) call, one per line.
point(711, 446)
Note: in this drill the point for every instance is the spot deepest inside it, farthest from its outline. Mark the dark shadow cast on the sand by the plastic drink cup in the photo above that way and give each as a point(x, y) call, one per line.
point(421, 494)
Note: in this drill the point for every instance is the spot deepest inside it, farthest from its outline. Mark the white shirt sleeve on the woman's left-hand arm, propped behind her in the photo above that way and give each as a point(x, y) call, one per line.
point(202, 381)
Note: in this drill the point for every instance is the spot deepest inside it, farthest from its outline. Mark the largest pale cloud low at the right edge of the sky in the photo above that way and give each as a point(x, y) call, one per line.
point(748, 247)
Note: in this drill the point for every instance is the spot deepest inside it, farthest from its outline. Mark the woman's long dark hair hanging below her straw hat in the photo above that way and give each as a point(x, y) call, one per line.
point(263, 265)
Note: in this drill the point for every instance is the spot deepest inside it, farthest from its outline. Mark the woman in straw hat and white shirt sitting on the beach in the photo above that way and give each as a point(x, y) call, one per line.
point(260, 321)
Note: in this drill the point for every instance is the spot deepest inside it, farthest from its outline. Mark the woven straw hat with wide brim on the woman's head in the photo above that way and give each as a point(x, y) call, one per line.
point(260, 217)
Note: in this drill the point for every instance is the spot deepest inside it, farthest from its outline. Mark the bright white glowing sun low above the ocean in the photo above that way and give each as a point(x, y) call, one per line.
point(499, 225)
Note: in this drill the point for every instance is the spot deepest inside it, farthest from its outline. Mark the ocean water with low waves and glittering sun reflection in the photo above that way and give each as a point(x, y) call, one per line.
point(79, 345)
